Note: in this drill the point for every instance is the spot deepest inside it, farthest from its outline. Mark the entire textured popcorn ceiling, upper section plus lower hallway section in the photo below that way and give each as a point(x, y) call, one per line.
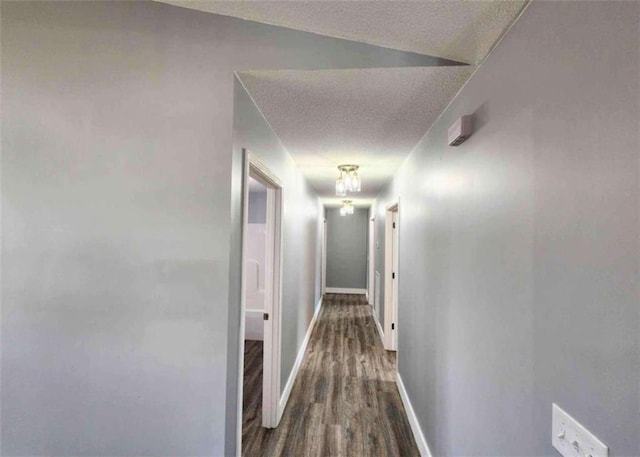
point(371, 117)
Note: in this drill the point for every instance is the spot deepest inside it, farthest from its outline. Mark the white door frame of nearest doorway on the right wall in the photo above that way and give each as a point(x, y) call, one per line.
point(391, 292)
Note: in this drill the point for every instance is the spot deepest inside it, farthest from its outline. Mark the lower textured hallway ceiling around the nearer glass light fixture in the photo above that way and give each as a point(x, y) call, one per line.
point(370, 117)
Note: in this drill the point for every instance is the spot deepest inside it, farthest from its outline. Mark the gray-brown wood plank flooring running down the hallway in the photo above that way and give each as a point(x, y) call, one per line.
point(344, 402)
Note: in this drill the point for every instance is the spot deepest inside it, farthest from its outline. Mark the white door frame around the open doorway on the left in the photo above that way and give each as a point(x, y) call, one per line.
point(254, 168)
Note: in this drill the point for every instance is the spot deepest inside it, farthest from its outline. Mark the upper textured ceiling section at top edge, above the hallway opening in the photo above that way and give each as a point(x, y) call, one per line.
point(460, 30)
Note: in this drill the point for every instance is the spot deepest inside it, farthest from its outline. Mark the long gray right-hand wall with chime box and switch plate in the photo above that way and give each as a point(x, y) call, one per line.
point(519, 250)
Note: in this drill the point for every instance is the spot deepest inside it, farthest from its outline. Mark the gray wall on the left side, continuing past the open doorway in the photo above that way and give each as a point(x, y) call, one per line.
point(121, 222)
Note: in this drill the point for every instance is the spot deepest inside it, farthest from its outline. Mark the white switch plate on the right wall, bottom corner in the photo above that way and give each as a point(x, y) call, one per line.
point(571, 439)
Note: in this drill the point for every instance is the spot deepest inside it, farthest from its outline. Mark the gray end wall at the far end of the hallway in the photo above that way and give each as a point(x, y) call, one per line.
point(347, 249)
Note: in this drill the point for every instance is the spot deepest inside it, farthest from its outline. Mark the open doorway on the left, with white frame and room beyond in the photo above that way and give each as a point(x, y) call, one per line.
point(261, 279)
